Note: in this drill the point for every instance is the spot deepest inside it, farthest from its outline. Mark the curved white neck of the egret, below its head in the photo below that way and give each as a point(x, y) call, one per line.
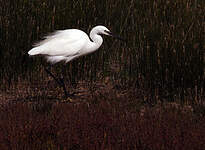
point(97, 39)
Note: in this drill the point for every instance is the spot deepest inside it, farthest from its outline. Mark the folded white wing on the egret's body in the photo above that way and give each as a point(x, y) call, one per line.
point(61, 43)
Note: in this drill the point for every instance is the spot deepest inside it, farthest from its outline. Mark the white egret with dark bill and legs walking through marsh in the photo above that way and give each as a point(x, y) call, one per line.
point(66, 45)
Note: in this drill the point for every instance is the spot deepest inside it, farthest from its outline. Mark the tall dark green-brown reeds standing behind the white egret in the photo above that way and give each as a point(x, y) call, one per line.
point(164, 54)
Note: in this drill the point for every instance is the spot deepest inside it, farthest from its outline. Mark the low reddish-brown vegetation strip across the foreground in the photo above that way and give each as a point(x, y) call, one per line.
point(105, 125)
